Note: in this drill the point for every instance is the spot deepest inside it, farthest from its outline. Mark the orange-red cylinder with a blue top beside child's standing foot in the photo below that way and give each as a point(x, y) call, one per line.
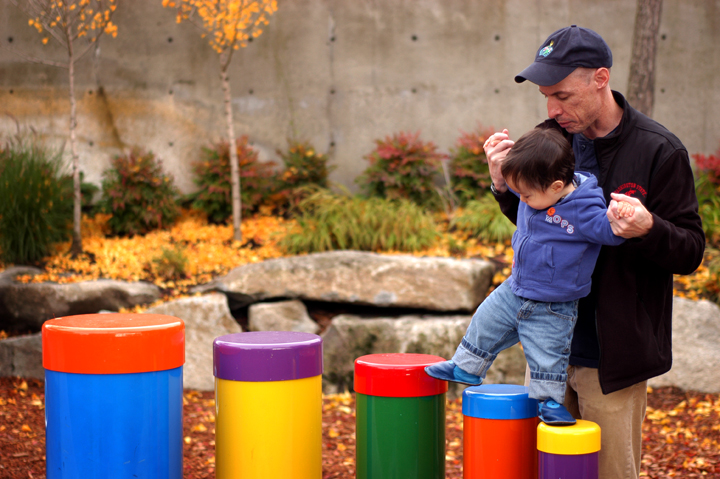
point(499, 432)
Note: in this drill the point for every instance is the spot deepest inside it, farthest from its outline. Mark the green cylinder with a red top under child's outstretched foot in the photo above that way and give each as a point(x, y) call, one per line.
point(400, 417)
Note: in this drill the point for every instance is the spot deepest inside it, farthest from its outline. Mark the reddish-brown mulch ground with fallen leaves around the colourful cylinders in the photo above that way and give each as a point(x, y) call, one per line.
point(681, 434)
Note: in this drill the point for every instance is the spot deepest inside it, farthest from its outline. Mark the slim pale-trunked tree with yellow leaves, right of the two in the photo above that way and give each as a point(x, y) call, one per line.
point(228, 25)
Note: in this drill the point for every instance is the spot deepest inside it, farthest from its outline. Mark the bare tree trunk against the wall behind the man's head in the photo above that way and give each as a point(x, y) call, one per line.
point(641, 82)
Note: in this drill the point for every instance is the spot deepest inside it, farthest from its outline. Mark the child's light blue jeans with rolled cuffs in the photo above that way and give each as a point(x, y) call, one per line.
point(544, 329)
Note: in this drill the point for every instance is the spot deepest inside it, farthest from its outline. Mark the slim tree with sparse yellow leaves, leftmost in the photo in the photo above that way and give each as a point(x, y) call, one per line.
point(76, 25)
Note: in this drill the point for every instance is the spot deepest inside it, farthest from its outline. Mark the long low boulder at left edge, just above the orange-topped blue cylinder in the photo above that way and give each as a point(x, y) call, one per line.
point(26, 306)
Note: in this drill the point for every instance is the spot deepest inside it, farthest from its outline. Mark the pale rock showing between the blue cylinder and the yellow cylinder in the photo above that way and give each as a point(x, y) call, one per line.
point(206, 318)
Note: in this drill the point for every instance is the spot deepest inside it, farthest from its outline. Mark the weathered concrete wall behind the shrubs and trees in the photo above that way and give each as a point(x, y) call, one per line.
point(342, 73)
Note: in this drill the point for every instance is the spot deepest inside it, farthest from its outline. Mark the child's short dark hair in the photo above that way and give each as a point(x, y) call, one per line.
point(538, 159)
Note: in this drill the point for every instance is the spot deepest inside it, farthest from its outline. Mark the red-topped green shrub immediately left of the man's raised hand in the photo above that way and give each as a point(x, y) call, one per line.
point(469, 173)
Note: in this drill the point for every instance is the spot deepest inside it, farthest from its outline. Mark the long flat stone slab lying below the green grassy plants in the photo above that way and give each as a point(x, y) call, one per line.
point(436, 284)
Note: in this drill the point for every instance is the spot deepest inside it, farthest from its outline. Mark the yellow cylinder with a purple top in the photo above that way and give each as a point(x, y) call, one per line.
point(268, 401)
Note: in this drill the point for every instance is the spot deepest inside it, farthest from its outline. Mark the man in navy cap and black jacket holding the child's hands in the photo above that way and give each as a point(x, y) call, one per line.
point(623, 334)
